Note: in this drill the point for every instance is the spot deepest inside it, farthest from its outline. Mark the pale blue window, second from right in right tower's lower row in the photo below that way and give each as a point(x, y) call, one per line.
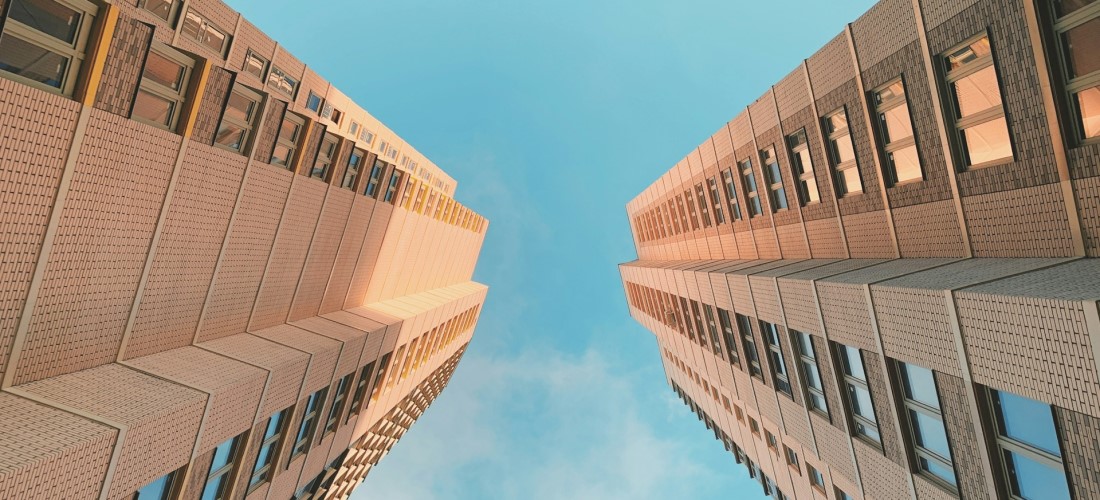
point(921, 402)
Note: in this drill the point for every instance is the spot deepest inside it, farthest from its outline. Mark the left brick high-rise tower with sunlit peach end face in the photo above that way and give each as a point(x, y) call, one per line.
point(222, 279)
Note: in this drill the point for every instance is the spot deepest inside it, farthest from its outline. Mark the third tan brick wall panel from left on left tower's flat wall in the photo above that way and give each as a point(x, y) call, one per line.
point(191, 242)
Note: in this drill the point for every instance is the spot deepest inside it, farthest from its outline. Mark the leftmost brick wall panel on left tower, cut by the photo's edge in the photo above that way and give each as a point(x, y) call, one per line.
point(37, 131)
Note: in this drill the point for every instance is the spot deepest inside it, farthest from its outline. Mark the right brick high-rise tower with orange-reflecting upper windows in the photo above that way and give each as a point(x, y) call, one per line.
point(878, 281)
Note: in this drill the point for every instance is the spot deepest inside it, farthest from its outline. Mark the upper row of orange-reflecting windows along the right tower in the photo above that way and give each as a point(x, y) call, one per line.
point(975, 115)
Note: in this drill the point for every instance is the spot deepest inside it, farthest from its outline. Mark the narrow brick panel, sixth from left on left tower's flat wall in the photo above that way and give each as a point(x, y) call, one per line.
point(323, 254)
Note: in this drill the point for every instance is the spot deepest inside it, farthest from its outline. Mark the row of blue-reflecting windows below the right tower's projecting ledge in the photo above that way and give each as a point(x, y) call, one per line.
point(1028, 450)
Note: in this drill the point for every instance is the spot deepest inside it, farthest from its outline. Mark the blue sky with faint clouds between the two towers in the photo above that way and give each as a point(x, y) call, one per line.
point(553, 116)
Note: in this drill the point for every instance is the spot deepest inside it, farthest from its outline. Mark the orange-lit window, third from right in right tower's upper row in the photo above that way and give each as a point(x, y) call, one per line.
point(896, 128)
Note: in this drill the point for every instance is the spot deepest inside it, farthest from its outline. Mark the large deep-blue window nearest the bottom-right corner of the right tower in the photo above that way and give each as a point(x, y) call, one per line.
point(1029, 448)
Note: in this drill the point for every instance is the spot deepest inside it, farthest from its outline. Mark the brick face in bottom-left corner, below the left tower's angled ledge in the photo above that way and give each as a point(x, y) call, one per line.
point(65, 446)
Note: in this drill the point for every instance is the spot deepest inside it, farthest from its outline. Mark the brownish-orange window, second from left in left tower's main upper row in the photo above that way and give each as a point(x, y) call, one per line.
point(163, 90)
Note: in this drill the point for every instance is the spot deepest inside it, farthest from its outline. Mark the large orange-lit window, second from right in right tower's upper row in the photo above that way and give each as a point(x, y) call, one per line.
point(982, 131)
